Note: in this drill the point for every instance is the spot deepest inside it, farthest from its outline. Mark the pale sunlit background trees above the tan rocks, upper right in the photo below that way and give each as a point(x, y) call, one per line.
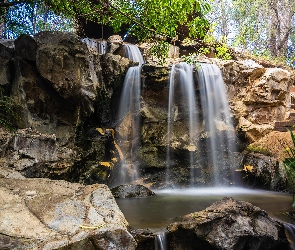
point(265, 27)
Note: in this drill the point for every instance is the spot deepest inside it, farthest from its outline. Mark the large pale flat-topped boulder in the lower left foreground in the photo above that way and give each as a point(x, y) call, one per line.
point(47, 214)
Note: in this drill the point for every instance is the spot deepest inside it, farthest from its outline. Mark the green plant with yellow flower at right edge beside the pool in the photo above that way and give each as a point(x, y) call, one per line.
point(289, 164)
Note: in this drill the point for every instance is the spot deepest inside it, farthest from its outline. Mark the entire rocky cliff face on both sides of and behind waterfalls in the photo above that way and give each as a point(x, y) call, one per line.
point(69, 97)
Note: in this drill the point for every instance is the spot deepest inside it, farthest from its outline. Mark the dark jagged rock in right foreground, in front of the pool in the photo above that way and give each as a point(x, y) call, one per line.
point(227, 224)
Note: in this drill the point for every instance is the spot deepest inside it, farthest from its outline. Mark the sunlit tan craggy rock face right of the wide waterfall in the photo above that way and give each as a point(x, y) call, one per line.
point(258, 96)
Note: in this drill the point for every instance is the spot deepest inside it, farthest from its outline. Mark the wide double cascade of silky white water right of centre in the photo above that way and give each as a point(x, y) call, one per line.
point(206, 115)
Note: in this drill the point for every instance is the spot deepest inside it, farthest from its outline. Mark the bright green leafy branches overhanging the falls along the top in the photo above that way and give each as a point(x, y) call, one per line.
point(144, 18)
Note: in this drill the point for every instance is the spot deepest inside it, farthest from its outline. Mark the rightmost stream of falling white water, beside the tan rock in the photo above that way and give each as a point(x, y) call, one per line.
point(217, 119)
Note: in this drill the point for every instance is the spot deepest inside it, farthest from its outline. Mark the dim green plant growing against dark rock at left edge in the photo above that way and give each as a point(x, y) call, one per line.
point(8, 115)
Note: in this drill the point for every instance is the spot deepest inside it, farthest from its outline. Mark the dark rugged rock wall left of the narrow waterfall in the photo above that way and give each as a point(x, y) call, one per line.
point(67, 96)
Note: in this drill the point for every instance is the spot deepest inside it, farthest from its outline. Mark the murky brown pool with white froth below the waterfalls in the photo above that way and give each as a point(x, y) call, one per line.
point(156, 212)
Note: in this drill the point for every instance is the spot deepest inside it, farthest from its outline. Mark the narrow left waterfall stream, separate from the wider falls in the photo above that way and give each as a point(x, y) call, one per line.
point(129, 117)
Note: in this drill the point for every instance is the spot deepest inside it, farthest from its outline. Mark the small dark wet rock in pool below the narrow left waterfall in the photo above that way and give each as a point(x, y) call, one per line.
point(131, 191)
